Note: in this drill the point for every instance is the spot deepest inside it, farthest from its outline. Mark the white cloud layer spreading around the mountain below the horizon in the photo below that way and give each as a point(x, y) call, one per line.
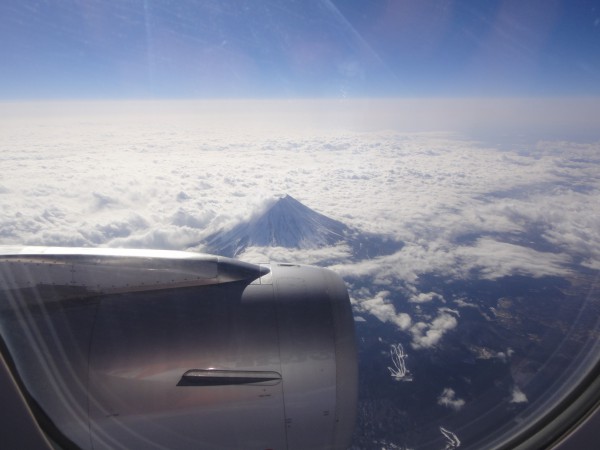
point(128, 176)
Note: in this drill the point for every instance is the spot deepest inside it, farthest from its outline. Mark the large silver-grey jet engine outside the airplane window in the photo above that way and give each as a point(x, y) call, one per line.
point(126, 349)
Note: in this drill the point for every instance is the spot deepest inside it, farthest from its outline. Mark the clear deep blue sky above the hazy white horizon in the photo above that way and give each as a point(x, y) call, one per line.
point(213, 49)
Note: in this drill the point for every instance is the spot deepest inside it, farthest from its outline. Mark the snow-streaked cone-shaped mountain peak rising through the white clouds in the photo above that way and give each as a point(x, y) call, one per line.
point(288, 223)
